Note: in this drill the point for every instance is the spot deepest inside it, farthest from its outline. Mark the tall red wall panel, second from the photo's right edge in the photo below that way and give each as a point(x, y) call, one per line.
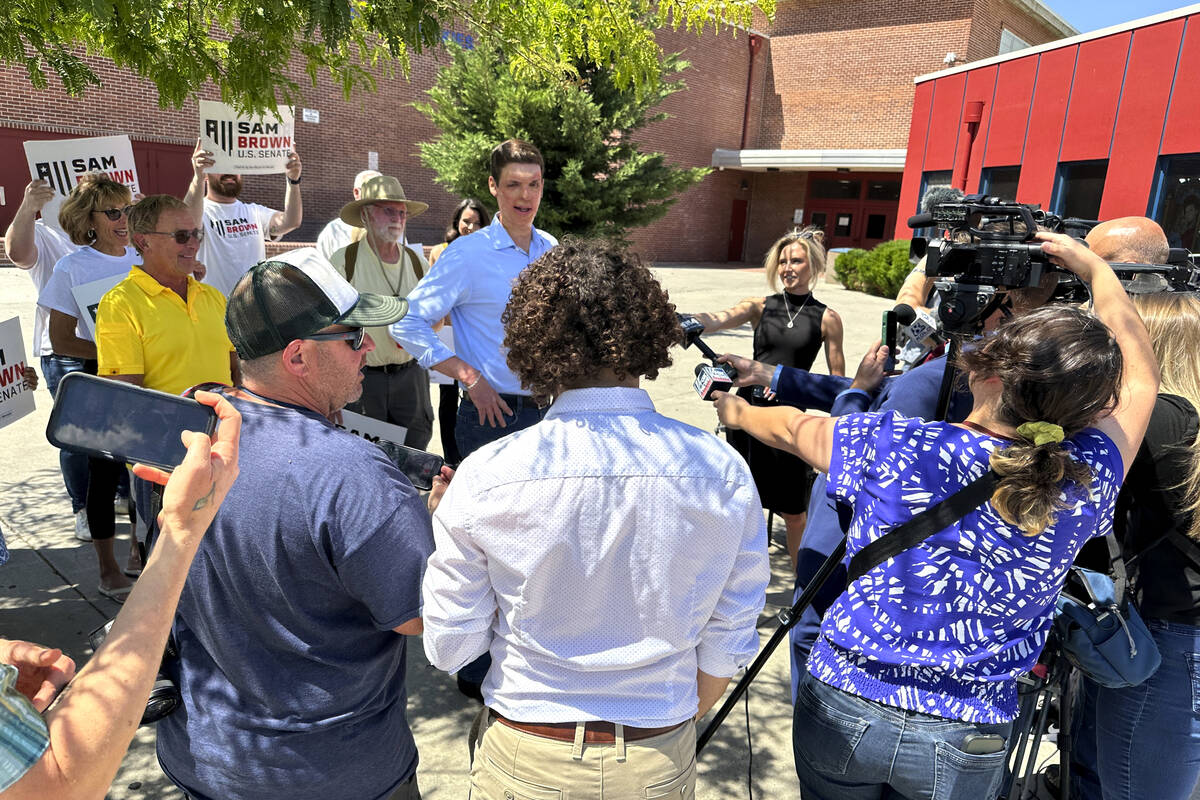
point(1139, 127)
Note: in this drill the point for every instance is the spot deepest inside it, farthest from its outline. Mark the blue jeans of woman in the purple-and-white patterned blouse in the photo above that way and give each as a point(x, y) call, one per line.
point(848, 748)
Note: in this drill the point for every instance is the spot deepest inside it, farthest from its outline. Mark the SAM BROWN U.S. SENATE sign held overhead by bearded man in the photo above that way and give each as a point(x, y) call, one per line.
point(243, 145)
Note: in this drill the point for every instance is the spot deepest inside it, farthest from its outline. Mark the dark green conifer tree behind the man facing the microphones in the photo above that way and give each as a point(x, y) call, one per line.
point(599, 183)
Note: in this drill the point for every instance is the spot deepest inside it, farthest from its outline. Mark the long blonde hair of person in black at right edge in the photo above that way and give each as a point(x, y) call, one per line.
point(1173, 321)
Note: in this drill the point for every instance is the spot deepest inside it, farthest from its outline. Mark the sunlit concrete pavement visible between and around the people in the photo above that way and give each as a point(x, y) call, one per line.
point(49, 590)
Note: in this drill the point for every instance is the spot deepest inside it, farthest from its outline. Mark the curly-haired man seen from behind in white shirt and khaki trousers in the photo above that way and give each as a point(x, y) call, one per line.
point(613, 561)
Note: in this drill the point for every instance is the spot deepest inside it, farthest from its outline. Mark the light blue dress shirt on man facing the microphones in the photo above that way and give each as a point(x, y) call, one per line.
point(472, 282)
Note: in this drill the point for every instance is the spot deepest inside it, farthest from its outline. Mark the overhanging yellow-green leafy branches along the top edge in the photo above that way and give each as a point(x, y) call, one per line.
point(245, 47)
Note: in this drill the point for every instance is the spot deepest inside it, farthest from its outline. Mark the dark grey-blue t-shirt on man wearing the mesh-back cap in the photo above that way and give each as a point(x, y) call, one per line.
point(293, 681)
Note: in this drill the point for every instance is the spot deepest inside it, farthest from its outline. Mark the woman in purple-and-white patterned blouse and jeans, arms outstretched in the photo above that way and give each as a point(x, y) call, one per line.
point(911, 689)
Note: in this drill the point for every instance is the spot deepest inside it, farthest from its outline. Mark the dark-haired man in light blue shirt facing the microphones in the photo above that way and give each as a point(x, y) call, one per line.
point(472, 282)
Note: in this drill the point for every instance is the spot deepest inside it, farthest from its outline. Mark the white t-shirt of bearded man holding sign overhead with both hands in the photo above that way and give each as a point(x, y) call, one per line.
point(235, 240)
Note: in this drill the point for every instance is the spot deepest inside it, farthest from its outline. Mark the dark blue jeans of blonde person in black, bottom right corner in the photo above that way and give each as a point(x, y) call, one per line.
point(1143, 742)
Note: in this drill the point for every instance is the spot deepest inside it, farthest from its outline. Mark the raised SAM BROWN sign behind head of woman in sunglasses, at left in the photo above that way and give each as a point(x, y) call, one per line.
point(63, 163)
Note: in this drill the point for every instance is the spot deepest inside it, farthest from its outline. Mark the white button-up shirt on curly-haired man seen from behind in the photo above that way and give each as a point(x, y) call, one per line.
point(602, 556)
